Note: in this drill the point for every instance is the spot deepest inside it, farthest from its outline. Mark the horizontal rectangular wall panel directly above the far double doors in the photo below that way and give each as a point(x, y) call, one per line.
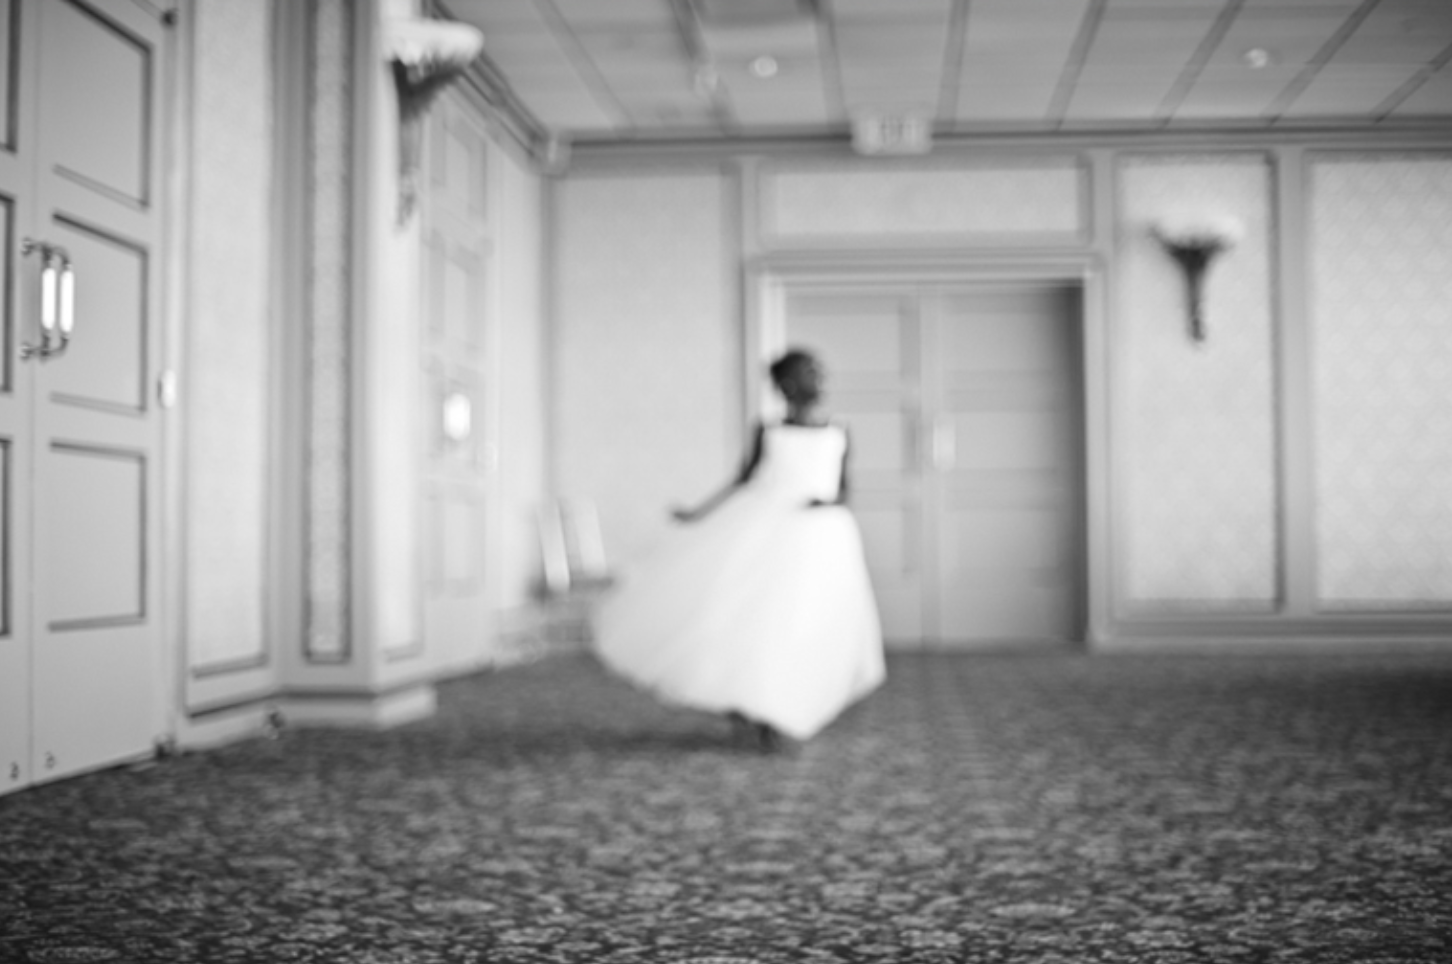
point(1035, 198)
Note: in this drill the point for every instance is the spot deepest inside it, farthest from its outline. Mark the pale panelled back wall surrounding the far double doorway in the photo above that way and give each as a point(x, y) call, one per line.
point(1223, 519)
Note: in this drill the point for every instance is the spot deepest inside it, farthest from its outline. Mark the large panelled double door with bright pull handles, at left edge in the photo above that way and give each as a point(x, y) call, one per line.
point(81, 634)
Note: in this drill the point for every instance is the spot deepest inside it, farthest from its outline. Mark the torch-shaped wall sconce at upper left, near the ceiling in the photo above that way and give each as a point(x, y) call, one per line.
point(428, 56)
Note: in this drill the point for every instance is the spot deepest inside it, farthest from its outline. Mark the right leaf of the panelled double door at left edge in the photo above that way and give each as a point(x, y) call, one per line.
point(97, 631)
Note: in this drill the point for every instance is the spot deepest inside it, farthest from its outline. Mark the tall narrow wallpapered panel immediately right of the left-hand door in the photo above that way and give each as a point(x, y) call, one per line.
point(229, 335)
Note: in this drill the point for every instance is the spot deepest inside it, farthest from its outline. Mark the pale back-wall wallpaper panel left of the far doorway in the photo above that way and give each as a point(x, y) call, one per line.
point(645, 348)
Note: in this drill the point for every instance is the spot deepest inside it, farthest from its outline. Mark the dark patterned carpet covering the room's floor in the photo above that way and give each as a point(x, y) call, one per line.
point(1046, 809)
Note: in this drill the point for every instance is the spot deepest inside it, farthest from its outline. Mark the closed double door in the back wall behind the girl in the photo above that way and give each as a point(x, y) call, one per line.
point(966, 412)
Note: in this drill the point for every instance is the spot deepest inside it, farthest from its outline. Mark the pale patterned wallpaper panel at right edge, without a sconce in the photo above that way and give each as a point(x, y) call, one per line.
point(1382, 313)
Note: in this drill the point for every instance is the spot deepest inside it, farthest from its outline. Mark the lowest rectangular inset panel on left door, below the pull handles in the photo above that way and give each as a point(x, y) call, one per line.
point(94, 570)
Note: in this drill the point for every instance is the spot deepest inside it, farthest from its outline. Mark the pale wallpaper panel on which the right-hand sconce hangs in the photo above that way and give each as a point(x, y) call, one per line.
point(1196, 422)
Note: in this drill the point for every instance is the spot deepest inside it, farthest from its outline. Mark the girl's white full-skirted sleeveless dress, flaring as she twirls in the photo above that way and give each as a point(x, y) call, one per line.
point(764, 606)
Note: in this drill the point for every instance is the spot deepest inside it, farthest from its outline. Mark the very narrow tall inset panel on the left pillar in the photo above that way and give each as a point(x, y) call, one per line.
point(329, 342)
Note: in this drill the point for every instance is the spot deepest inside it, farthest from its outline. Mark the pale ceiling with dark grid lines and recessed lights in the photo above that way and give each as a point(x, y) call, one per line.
point(613, 72)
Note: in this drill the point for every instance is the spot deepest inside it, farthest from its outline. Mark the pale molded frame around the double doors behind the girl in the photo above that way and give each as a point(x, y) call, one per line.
point(769, 279)
